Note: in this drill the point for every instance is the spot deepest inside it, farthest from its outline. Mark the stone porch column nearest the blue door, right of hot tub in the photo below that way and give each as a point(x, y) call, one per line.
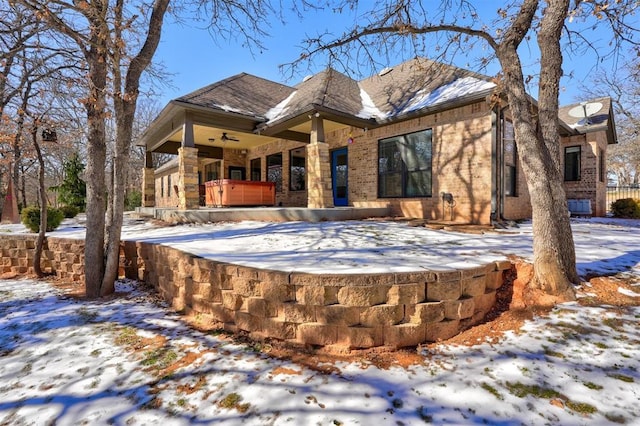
point(319, 190)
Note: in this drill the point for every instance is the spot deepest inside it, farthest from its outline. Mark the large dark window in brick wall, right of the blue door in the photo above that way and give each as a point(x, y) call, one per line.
point(404, 165)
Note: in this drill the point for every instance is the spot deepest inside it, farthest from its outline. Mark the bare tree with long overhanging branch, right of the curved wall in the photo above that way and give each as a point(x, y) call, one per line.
point(450, 26)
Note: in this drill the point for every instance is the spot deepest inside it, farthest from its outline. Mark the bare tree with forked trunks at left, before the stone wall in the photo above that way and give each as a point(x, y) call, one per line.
point(118, 40)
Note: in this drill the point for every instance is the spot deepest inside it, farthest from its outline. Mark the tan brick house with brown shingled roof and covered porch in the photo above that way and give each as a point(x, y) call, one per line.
point(424, 138)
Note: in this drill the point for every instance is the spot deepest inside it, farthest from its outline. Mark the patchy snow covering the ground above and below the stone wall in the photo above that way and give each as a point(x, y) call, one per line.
point(68, 361)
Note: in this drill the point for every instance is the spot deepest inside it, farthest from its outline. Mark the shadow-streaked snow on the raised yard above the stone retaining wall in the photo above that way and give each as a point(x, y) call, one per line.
point(603, 246)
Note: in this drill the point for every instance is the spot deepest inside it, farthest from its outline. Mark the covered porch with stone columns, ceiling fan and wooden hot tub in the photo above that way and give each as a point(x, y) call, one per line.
point(217, 136)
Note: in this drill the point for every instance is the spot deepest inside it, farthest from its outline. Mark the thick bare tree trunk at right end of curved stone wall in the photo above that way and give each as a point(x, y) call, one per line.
point(553, 249)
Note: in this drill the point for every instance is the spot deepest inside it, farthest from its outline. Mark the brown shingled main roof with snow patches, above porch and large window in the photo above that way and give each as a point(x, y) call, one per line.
point(405, 88)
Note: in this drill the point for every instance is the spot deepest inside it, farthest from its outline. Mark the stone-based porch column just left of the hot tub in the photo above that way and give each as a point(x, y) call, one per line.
point(188, 191)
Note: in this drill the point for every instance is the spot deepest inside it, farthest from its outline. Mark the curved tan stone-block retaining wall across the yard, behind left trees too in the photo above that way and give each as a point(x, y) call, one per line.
point(353, 311)
